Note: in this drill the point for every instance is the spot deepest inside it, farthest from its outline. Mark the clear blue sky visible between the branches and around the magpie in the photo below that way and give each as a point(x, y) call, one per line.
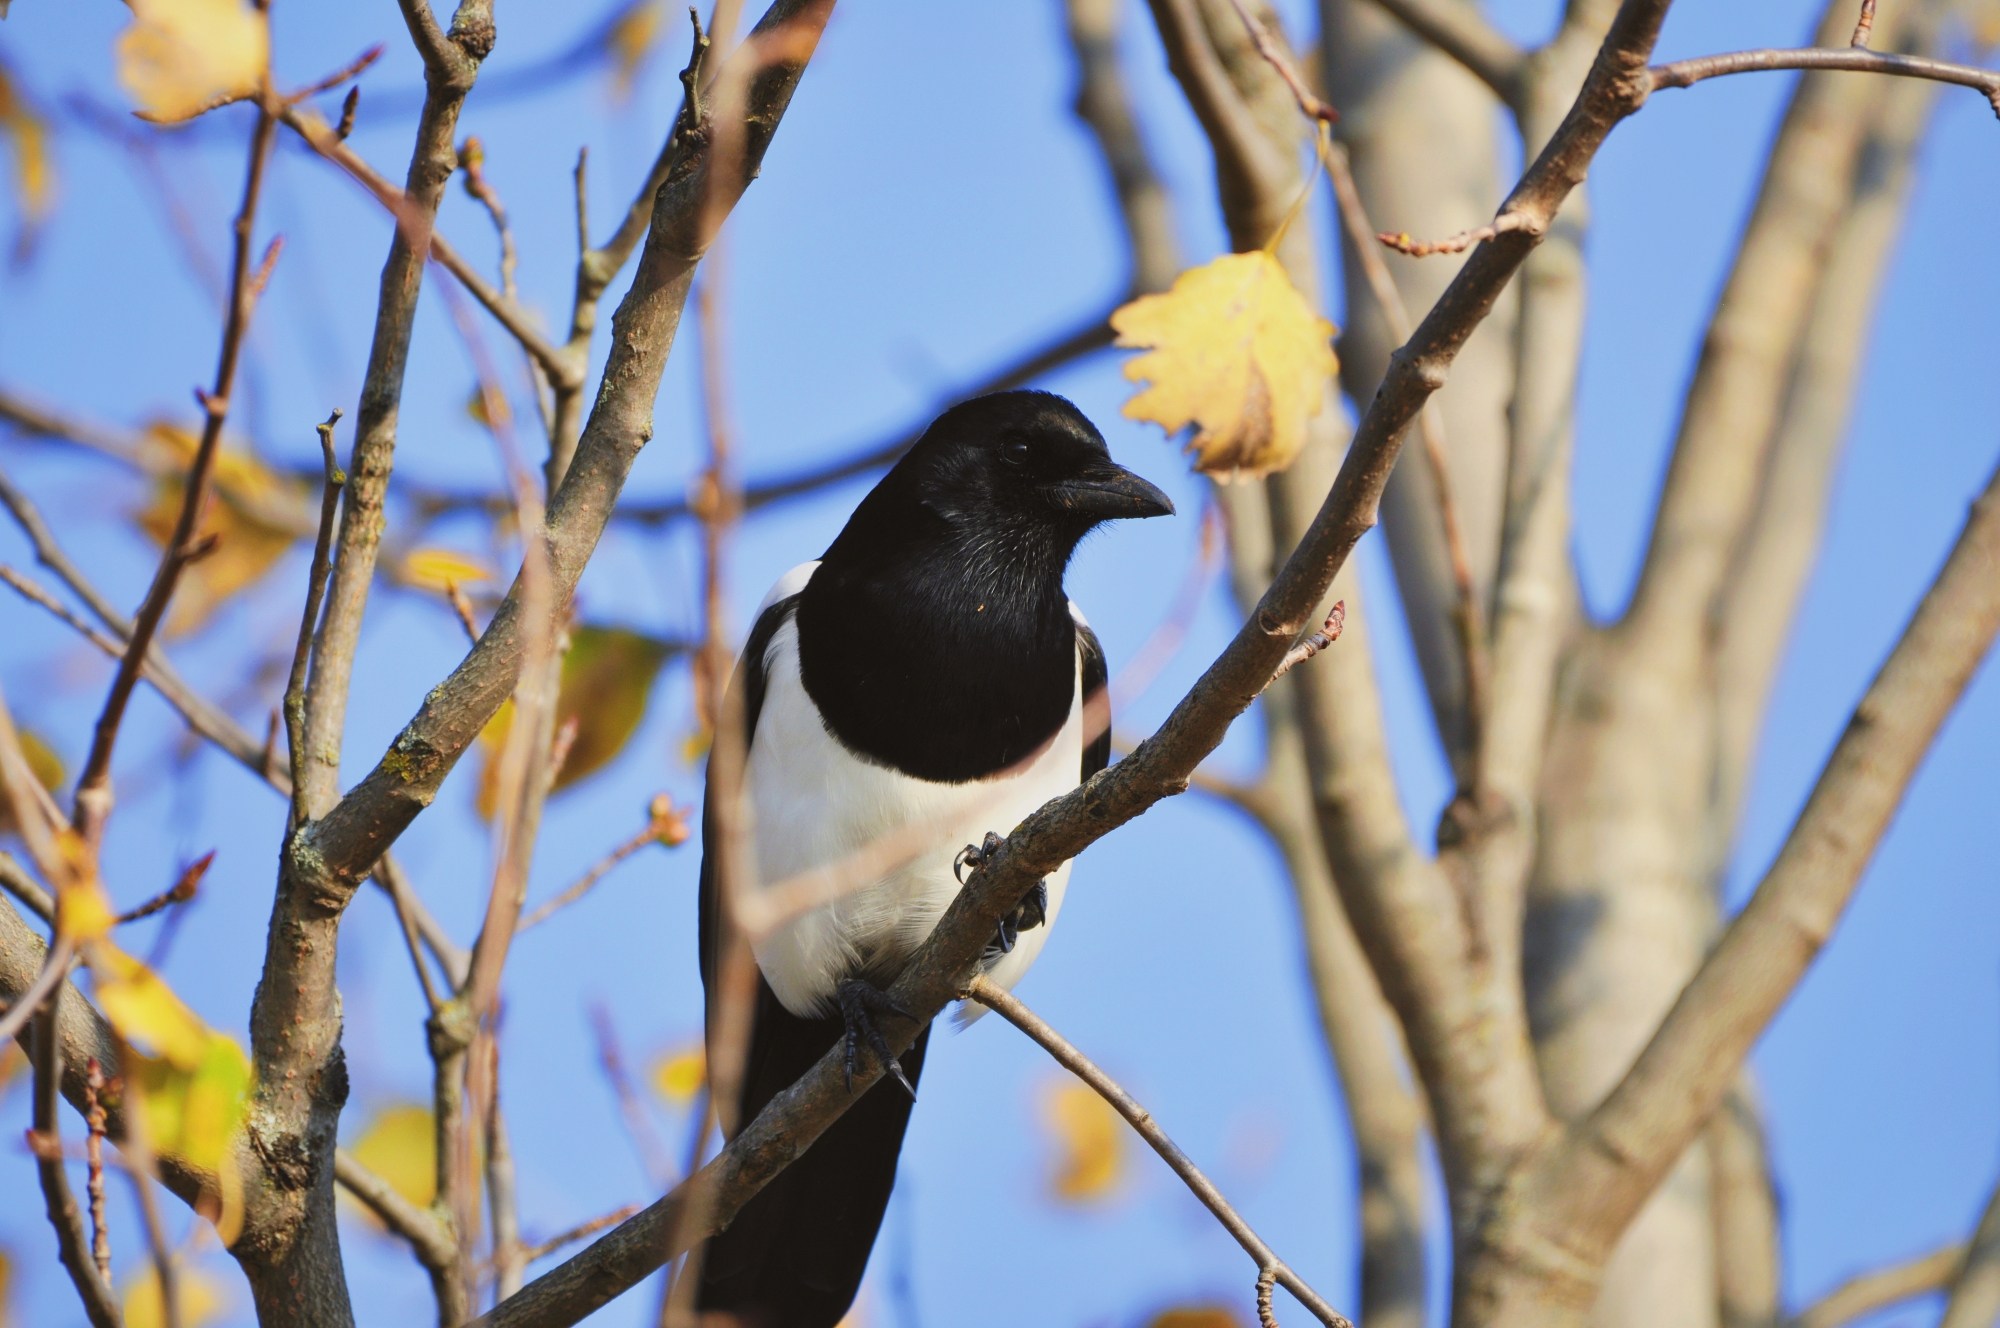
point(927, 213)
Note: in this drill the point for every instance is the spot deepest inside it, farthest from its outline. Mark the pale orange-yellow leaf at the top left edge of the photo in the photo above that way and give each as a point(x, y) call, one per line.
point(183, 57)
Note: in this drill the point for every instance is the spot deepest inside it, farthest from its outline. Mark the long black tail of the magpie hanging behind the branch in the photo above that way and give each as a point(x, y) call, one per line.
point(795, 1255)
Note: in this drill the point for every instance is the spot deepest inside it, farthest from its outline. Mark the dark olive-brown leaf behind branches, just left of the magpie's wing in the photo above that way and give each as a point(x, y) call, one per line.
point(607, 681)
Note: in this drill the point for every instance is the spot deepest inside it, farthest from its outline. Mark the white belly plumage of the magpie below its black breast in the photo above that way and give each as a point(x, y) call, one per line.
point(815, 805)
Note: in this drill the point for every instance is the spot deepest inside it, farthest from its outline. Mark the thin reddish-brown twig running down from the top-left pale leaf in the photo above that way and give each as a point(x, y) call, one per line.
point(93, 787)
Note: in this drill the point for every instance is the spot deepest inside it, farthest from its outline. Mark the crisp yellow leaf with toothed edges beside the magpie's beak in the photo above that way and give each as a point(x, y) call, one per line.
point(1235, 351)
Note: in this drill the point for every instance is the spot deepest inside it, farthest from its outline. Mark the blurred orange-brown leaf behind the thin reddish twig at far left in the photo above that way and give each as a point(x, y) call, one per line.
point(255, 517)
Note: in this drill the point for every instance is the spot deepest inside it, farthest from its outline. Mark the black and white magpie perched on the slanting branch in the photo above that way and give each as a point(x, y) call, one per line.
point(927, 677)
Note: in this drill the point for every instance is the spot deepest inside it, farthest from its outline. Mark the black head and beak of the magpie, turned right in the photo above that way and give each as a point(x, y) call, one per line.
point(1025, 463)
